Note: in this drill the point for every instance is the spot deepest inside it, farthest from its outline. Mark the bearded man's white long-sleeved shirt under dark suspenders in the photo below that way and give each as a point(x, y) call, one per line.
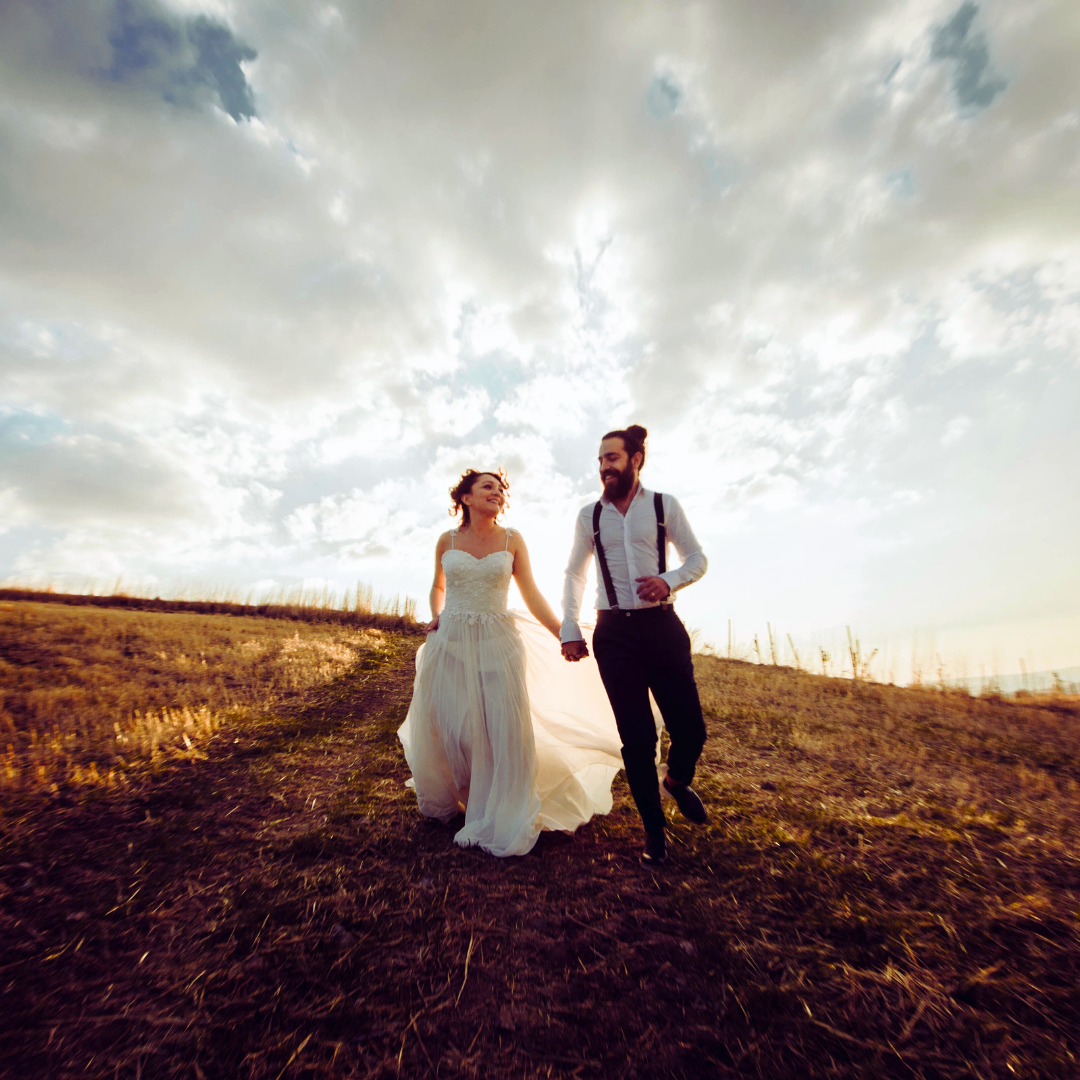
point(630, 547)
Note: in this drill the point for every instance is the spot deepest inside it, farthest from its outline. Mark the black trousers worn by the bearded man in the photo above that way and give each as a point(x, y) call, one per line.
point(638, 652)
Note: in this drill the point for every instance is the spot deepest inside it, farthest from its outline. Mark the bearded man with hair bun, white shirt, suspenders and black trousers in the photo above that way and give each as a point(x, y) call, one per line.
point(641, 644)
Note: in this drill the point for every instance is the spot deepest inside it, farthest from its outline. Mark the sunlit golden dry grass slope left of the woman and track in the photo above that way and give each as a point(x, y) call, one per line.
point(87, 695)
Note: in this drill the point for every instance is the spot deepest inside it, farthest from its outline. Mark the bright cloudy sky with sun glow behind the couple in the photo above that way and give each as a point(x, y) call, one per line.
point(273, 275)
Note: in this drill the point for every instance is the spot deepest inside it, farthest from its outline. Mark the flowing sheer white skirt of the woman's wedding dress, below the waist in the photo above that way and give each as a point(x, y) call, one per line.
point(503, 728)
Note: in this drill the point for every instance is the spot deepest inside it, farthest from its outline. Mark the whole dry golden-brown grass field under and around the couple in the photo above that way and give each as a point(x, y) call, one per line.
point(888, 885)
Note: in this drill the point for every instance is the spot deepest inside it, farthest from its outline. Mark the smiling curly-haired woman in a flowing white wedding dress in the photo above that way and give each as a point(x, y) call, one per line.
point(501, 727)
